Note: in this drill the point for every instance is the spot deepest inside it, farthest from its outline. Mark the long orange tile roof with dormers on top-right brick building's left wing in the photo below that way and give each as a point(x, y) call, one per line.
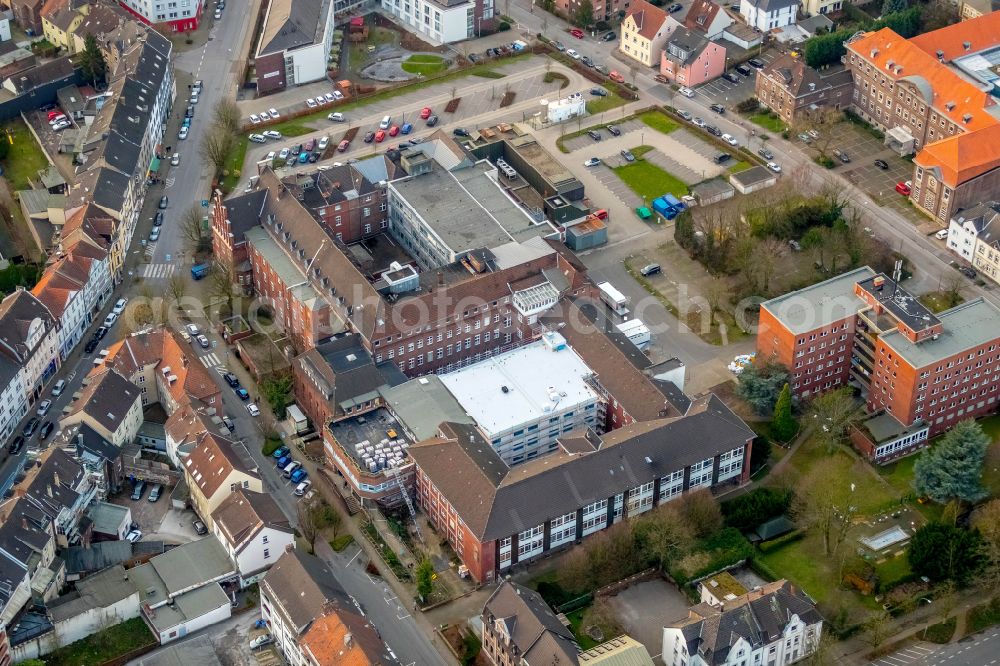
point(909, 61)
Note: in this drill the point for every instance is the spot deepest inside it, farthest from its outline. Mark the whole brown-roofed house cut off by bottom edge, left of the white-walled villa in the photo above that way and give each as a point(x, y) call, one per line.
point(520, 628)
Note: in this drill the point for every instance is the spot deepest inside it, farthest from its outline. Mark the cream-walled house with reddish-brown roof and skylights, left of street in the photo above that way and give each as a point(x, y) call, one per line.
point(213, 471)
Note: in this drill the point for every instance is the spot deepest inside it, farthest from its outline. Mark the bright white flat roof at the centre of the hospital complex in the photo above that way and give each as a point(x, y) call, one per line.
point(539, 382)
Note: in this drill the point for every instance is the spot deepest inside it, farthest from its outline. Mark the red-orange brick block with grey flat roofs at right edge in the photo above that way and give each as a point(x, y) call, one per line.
point(920, 373)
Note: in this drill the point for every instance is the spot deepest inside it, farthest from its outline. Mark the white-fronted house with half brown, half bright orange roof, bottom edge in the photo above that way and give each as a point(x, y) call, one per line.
point(312, 619)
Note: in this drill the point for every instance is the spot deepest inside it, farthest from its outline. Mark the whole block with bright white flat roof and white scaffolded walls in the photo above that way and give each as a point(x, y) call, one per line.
point(524, 400)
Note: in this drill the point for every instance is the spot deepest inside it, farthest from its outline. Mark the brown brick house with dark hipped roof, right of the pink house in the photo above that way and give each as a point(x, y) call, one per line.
point(792, 89)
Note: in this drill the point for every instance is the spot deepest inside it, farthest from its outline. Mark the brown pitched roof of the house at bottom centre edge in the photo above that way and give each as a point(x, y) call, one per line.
point(533, 627)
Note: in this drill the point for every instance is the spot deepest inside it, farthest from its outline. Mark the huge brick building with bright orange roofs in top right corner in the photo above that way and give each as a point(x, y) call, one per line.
point(930, 95)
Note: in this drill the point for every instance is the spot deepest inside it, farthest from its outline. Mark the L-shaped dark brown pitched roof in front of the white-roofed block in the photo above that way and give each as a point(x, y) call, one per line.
point(495, 501)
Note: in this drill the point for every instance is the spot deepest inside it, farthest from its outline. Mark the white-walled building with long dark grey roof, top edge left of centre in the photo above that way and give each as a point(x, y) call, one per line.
point(294, 43)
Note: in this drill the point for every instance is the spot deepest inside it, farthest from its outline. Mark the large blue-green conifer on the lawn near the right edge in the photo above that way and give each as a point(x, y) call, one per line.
point(953, 469)
